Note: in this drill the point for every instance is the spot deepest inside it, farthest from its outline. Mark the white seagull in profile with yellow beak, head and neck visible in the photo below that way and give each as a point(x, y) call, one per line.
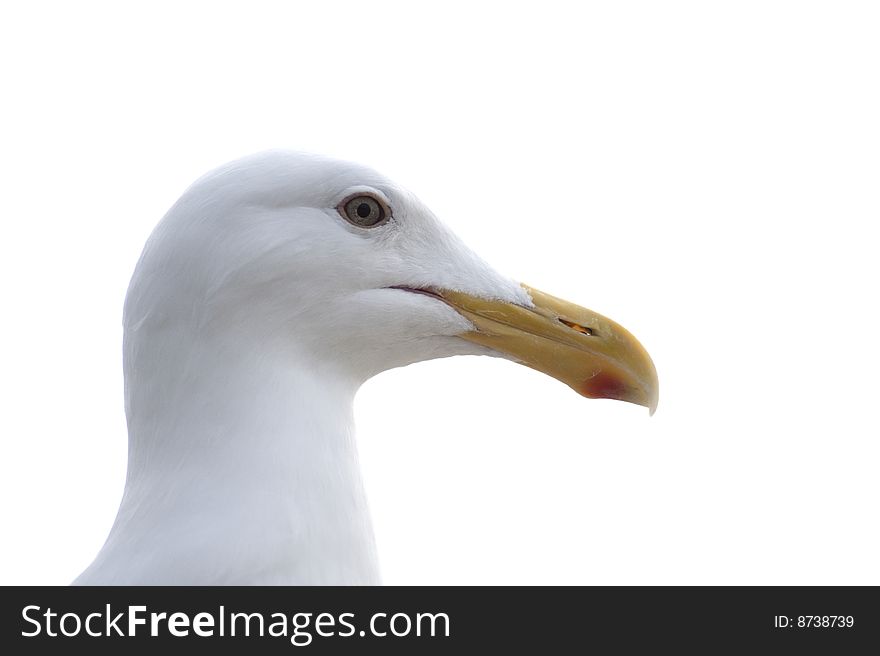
point(271, 290)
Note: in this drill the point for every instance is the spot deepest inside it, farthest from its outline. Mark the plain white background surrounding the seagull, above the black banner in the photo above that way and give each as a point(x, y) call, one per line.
point(705, 173)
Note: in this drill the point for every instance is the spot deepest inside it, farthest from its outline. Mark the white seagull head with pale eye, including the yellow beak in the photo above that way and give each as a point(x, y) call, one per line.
point(335, 267)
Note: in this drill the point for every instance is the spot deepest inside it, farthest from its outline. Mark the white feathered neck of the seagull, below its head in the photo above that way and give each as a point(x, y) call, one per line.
point(244, 473)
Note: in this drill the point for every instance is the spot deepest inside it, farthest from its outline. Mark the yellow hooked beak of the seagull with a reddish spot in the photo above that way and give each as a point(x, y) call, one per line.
point(592, 354)
